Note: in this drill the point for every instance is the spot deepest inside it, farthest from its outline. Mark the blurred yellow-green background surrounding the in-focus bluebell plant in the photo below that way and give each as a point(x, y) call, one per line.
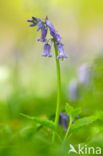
point(28, 81)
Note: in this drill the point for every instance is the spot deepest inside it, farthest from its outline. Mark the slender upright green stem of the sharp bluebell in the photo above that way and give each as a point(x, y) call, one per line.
point(58, 89)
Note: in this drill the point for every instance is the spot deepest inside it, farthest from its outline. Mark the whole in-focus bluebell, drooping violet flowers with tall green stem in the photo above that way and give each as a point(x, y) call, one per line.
point(44, 26)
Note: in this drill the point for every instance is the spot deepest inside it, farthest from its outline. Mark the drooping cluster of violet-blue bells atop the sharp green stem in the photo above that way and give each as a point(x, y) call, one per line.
point(44, 26)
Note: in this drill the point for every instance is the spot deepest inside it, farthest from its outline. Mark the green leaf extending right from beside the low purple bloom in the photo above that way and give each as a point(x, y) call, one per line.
point(83, 122)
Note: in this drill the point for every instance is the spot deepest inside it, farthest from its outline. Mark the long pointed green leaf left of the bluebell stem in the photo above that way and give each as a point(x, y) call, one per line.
point(42, 121)
